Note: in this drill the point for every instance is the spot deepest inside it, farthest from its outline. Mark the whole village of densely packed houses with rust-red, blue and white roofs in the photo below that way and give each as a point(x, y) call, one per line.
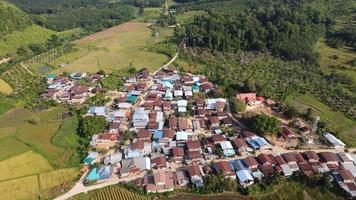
point(181, 133)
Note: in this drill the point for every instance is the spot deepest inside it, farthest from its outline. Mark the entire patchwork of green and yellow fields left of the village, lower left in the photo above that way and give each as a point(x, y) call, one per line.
point(32, 165)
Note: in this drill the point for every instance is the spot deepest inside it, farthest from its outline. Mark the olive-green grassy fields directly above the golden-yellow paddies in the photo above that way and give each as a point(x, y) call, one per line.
point(36, 130)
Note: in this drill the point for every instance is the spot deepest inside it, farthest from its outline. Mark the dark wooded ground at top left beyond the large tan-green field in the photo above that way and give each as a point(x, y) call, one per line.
point(62, 15)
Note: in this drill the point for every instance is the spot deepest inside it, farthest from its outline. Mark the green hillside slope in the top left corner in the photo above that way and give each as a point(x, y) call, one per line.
point(12, 18)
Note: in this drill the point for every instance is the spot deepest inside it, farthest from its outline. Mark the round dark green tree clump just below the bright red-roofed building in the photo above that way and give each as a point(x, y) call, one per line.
point(264, 124)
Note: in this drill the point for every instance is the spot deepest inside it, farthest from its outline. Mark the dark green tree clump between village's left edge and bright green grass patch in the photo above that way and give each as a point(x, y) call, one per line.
point(89, 125)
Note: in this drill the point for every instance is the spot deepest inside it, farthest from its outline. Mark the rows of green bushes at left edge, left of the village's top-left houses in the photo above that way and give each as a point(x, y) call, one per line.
point(22, 82)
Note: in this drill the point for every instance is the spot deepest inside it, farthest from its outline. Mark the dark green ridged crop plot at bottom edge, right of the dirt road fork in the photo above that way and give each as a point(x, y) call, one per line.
point(109, 193)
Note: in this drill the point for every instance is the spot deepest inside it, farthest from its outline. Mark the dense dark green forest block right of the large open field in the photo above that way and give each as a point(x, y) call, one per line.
point(288, 30)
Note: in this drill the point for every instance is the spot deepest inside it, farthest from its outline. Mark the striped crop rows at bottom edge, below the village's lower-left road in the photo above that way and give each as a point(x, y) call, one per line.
point(114, 193)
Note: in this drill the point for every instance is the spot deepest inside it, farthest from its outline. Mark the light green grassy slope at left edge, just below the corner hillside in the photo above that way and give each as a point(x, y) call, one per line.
point(16, 39)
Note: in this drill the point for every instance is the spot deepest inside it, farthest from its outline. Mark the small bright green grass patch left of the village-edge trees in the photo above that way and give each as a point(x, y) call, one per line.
point(66, 135)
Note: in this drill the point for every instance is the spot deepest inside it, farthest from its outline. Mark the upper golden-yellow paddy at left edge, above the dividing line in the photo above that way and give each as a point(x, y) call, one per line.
point(23, 165)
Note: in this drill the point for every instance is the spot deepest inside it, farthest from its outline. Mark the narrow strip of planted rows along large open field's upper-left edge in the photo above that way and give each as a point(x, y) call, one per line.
point(51, 55)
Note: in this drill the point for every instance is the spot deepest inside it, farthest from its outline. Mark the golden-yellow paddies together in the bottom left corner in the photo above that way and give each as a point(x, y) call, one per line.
point(29, 176)
